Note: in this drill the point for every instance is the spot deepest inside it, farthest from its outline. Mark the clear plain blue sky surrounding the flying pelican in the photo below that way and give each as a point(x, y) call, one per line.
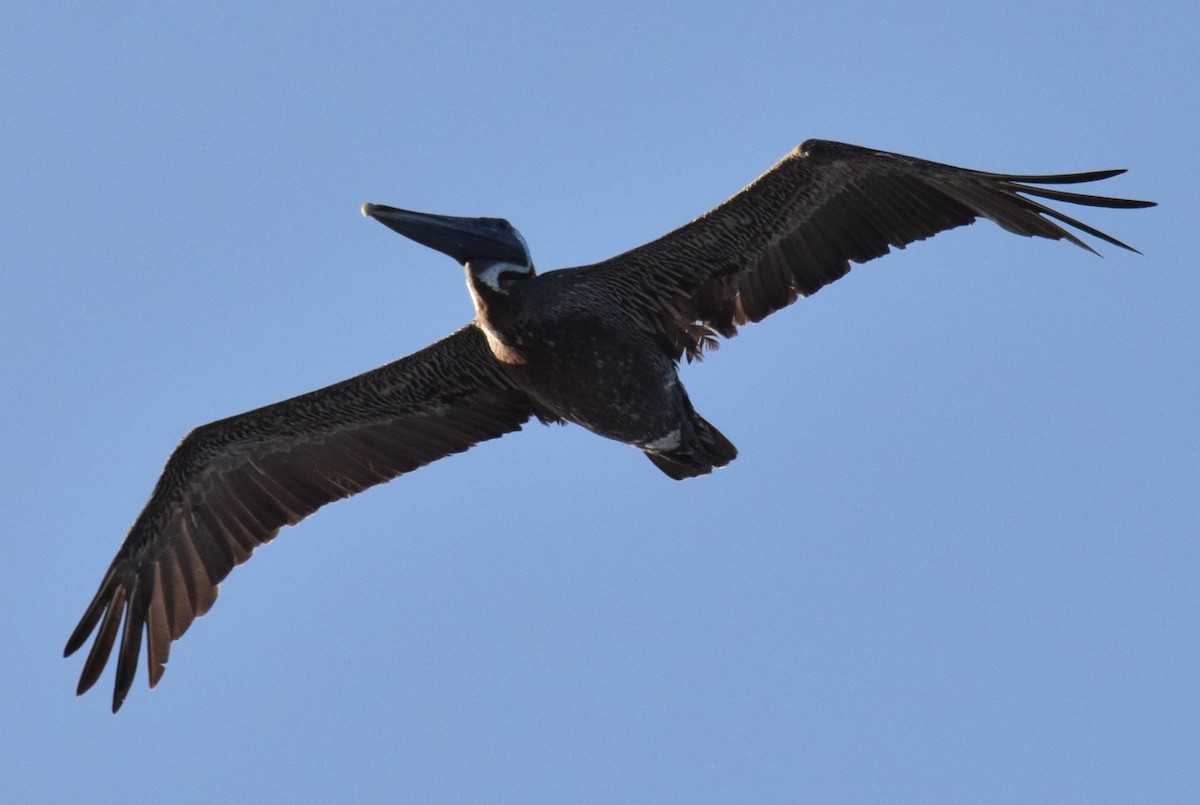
point(957, 560)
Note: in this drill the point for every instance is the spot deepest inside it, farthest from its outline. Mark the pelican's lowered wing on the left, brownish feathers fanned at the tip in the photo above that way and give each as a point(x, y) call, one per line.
point(231, 485)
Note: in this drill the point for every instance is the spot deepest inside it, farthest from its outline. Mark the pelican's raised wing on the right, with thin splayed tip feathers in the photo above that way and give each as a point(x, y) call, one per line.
point(799, 227)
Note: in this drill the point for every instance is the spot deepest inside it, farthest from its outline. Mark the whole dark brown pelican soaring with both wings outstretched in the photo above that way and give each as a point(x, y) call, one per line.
point(596, 345)
